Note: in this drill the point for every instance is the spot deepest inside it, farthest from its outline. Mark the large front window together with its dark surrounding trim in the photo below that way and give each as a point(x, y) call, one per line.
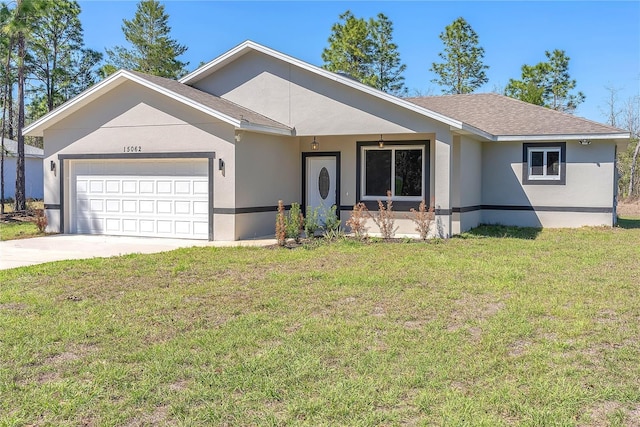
point(409, 201)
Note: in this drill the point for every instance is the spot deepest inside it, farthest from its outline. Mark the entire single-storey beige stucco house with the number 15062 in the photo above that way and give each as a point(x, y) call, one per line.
point(209, 156)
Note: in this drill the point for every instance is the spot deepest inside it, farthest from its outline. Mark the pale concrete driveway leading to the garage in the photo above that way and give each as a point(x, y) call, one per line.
point(58, 247)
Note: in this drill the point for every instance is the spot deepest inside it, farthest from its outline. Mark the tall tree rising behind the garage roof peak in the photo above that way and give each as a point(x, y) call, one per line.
point(152, 51)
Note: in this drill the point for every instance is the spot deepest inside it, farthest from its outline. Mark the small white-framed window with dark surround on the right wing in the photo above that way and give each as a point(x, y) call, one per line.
point(544, 163)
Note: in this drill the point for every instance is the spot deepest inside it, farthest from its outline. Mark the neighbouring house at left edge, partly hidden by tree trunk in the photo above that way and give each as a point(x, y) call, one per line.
point(33, 174)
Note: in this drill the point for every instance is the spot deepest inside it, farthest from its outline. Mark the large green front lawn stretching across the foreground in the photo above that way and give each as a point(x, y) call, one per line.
point(501, 326)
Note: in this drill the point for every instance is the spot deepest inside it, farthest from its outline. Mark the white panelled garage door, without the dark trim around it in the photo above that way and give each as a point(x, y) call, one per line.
point(152, 206)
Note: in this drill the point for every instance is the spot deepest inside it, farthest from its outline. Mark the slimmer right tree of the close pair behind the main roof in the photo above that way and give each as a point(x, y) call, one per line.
point(386, 63)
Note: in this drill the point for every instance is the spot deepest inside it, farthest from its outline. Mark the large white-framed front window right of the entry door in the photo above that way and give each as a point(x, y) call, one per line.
point(399, 169)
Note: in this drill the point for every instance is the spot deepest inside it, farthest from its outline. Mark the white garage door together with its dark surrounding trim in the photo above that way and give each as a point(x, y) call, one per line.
point(157, 203)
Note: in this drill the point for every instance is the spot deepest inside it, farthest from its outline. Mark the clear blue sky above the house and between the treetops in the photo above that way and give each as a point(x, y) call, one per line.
point(601, 38)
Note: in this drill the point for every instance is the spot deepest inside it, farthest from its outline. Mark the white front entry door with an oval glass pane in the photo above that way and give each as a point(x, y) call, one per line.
point(321, 183)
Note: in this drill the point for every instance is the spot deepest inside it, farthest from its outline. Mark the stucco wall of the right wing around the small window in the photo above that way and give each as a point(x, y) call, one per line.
point(587, 193)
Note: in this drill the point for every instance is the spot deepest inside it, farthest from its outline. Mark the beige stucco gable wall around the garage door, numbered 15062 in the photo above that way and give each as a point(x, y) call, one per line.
point(135, 121)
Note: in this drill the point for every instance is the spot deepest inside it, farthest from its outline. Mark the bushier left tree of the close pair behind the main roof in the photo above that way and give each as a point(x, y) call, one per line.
point(350, 48)
